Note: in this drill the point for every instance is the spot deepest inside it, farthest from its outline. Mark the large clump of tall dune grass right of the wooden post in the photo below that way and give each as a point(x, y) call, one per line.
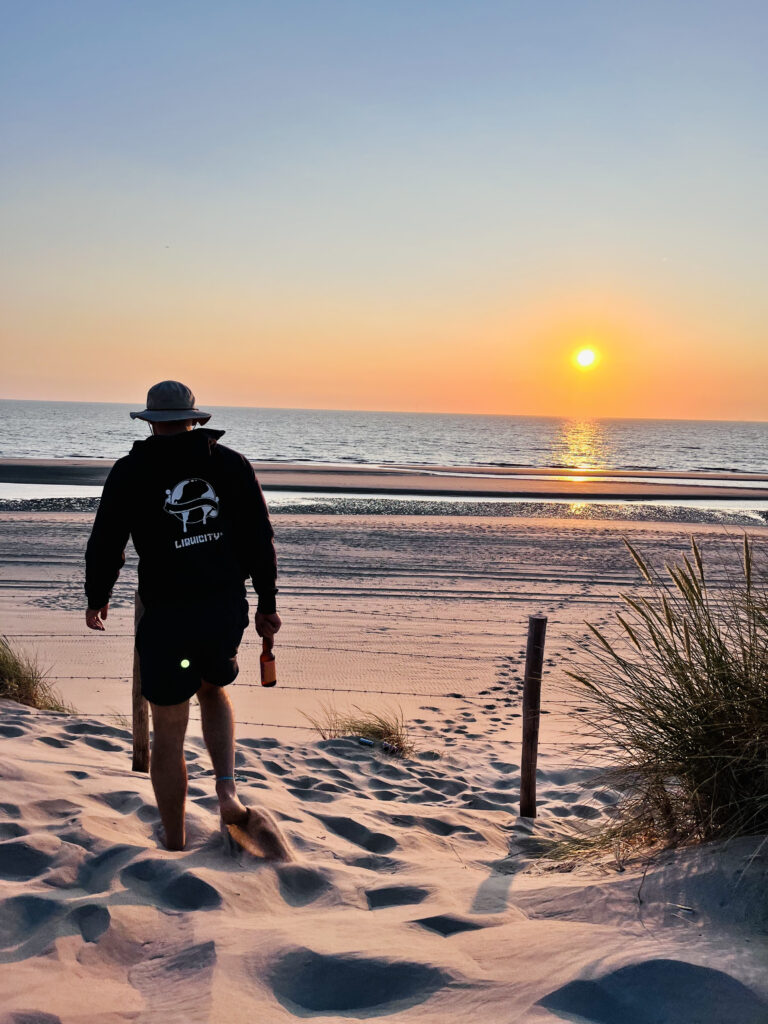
point(676, 695)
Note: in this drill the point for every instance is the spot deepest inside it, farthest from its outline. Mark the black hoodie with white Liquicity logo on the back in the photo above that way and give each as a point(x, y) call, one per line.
point(198, 520)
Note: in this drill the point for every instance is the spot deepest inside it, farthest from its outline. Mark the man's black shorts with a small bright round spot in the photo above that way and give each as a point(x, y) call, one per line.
point(182, 646)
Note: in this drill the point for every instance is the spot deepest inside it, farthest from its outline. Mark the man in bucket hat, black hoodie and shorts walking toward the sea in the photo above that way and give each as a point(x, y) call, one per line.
point(200, 527)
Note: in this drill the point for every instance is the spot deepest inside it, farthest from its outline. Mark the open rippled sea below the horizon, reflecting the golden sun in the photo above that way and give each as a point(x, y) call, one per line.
point(104, 431)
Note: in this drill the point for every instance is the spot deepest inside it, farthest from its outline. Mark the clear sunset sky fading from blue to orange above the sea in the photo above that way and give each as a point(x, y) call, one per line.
point(417, 205)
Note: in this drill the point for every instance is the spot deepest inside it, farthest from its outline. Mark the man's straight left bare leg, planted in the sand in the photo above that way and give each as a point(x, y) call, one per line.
point(168, 770)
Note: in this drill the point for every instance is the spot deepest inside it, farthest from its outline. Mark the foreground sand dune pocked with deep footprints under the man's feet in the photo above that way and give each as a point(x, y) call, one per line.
point(415, 897)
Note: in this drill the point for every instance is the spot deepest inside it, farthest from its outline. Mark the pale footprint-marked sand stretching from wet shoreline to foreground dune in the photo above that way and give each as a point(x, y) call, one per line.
point(417, 893)
